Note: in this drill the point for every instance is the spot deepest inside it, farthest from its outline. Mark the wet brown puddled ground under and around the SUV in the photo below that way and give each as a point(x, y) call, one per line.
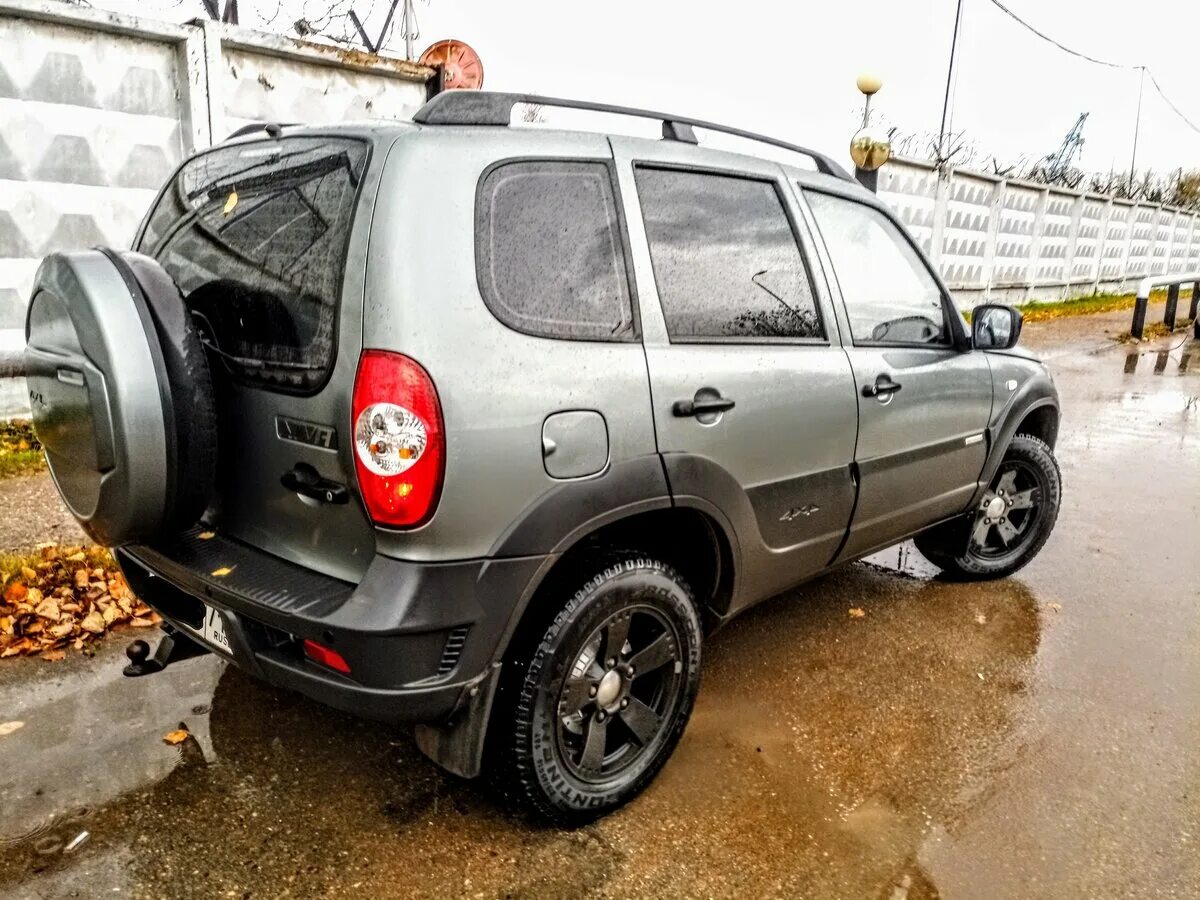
point(1037, 737)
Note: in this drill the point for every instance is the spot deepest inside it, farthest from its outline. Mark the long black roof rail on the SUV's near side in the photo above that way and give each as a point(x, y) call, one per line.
point(496, 109)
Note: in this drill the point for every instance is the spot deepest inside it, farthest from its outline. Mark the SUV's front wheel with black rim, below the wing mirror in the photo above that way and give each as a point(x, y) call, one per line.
point(1012, 523)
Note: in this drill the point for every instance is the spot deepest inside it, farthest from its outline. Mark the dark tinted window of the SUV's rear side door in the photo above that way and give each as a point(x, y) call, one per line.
point(725, 257)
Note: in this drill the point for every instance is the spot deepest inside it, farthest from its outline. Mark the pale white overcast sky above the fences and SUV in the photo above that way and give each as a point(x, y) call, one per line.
point(789, 69)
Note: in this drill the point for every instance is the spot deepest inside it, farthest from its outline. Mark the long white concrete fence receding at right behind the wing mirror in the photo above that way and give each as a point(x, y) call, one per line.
point(1012, 242)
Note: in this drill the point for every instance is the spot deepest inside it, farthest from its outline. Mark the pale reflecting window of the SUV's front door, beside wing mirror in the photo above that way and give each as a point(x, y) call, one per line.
point(890, 295)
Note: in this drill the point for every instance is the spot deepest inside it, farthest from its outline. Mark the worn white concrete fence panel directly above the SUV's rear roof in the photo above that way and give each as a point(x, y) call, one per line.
point(263, 88)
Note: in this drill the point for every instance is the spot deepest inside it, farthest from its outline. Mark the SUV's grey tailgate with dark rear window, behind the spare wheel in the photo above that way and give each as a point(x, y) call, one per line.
point(266, 239)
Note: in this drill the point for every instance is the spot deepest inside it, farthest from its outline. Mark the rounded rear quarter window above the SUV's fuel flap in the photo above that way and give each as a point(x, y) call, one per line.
point(549, 250)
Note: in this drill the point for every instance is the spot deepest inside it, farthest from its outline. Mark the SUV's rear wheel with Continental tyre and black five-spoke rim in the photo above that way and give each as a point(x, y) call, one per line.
point(602, 701)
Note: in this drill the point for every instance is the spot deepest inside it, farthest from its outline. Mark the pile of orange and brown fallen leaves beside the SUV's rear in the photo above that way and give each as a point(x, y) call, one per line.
point(64, 598)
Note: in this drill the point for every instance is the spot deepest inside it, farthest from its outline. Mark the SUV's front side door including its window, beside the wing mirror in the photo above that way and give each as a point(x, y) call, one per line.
point(923, 403)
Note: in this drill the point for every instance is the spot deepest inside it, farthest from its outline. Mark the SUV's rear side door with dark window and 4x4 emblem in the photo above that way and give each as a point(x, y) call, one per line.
point(754, 399)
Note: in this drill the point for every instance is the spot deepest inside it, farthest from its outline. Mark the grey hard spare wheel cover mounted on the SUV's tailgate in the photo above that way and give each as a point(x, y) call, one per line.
point(99, 398)
